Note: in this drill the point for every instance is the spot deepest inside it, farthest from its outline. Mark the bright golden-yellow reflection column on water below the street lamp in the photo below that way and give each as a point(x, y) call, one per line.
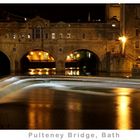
point(123, 109)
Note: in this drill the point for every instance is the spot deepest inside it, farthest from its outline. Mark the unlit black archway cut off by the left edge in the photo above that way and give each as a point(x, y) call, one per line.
point(4, 64)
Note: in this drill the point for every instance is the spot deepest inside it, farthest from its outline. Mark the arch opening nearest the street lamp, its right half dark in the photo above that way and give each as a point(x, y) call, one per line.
point(82, 62)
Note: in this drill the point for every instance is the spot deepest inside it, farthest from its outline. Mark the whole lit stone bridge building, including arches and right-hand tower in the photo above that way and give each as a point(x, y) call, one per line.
point(39, 43)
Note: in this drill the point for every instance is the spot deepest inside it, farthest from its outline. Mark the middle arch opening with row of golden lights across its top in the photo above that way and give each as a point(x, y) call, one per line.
point(38, 62)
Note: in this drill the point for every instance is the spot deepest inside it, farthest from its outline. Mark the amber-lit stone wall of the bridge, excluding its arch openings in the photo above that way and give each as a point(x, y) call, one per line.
point(59, 39)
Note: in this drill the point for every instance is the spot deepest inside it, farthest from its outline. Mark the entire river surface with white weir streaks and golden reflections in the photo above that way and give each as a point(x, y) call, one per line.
point(69, 103)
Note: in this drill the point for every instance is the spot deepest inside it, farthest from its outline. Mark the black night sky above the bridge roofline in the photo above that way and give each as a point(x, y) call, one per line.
point(55, 12)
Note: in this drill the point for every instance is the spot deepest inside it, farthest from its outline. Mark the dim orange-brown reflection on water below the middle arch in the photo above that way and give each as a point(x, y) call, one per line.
point(39, 109)
